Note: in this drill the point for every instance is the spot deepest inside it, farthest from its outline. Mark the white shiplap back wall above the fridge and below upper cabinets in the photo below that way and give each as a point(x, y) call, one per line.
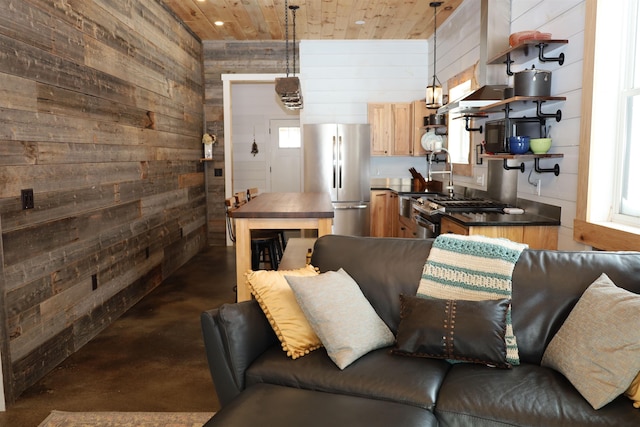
point(339, 78)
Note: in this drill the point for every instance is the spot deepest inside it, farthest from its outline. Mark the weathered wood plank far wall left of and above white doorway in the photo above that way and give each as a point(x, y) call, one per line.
point(230, 57)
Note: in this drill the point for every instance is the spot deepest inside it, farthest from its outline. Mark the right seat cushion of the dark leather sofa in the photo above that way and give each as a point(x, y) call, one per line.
point(526, 395)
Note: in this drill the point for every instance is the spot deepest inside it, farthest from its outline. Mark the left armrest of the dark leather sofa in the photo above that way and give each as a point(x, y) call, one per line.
point(234, 336)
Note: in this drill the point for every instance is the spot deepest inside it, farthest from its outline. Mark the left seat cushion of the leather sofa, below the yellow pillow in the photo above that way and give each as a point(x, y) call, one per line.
point(376, 375)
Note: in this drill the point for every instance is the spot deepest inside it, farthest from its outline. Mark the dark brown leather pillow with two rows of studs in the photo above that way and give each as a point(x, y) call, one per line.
point(469, 331)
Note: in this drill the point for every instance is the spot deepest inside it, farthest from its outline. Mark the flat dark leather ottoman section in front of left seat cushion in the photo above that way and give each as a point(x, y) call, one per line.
point(271, 405)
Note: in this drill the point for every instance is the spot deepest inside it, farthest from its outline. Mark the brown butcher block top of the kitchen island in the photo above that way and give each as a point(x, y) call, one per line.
point(287, 205)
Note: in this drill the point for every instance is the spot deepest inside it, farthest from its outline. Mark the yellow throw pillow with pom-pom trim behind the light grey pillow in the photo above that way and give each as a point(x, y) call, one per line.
point(279, 304)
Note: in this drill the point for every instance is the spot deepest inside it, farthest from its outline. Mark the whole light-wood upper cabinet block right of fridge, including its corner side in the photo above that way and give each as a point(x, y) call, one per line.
point(396, 128)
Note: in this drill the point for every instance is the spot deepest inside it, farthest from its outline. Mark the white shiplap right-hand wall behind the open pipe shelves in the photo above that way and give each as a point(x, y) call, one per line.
point(458, 40)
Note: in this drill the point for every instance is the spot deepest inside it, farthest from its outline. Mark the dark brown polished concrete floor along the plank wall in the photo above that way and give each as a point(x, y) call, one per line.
point(150, 359)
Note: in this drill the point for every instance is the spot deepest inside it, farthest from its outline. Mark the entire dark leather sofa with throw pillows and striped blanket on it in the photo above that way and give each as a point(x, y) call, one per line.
point(256, 382)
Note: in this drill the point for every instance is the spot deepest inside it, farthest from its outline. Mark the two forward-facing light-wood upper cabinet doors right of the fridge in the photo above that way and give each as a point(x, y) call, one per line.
point(391, 129)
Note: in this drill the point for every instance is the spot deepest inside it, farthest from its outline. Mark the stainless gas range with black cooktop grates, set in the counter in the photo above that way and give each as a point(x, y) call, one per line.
point(428, 212)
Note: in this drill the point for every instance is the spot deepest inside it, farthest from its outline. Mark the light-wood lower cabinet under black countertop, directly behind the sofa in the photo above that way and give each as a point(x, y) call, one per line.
point(537, 237)
